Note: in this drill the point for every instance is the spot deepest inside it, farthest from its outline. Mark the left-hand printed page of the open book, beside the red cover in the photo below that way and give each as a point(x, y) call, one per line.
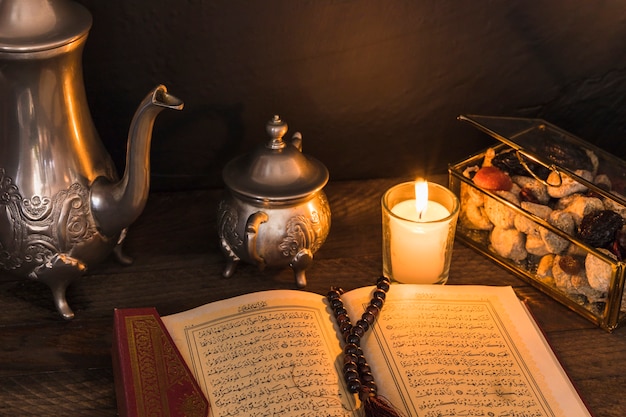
point(265, 354)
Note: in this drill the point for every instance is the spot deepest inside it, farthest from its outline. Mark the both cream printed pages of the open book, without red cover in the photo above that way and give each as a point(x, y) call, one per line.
point(434, 351)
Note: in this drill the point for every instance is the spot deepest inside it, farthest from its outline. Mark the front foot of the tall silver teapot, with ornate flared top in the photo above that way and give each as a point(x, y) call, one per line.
point(58, 273)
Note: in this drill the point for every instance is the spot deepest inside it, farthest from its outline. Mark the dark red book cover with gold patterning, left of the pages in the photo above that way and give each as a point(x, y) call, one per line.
point(151, 377)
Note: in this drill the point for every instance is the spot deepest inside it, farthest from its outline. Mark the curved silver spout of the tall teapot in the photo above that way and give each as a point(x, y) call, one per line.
point(115, 205)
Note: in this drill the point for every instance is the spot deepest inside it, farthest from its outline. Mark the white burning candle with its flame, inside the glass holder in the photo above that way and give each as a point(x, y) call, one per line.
point(419, 238)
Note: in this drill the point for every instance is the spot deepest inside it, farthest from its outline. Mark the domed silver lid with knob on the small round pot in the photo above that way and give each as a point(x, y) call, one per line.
point(276, 171)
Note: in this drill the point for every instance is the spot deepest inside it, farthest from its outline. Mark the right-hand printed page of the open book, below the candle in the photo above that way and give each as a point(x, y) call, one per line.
point(463, 351)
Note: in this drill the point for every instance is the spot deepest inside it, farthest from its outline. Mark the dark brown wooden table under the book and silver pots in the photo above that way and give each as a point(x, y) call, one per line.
point(52, 367)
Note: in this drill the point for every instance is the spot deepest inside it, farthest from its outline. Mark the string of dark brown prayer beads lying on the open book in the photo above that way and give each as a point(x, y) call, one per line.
point(356, 370)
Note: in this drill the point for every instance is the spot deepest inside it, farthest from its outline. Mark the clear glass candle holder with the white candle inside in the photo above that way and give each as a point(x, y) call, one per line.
point(418, 239)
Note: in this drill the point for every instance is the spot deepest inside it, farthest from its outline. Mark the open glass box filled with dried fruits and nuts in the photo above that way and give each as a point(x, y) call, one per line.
point(551, 208)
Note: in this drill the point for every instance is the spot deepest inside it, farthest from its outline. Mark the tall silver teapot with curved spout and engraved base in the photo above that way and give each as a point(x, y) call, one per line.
point(62, 205)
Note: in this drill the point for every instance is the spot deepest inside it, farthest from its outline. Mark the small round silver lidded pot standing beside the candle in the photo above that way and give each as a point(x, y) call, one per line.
point(274, 212)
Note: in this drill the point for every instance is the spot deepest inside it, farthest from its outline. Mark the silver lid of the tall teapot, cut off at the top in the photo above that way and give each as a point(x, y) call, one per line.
point(39, 25)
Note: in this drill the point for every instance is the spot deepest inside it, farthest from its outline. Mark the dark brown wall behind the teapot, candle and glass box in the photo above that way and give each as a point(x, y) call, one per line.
point(374, 86)
